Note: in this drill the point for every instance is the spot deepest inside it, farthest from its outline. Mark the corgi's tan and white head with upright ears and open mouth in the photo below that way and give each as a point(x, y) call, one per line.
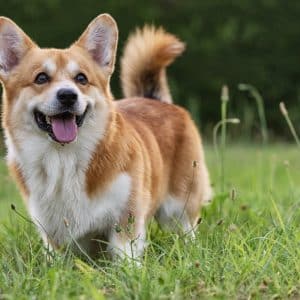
point(53, 91)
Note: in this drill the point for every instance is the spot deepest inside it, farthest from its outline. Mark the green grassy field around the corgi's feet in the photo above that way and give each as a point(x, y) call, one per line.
point(247, 246)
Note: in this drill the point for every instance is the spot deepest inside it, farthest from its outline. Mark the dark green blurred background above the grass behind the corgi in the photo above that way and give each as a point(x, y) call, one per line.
point(228, 42)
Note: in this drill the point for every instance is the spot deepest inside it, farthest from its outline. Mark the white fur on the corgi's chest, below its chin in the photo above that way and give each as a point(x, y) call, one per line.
point(55, 177)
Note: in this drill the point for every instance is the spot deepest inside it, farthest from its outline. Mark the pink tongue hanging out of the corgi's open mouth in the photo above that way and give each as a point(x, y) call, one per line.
point(65, 130)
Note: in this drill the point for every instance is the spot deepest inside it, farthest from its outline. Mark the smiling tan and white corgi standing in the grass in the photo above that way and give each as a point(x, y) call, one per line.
point(86, 164)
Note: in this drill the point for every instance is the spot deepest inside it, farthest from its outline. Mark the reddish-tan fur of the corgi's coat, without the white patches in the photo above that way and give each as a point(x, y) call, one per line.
point(155, 143)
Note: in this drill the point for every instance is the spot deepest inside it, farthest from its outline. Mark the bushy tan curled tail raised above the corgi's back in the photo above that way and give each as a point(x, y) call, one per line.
point(143, 66)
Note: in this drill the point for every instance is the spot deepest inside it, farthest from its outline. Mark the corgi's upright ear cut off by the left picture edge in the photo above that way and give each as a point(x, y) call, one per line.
point(14, 44)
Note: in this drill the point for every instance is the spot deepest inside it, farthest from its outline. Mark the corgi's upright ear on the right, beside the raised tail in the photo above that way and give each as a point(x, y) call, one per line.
point(100, 39)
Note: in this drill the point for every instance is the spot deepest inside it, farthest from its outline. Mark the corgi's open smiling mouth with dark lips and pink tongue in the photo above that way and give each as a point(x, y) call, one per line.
point(63, 127)
